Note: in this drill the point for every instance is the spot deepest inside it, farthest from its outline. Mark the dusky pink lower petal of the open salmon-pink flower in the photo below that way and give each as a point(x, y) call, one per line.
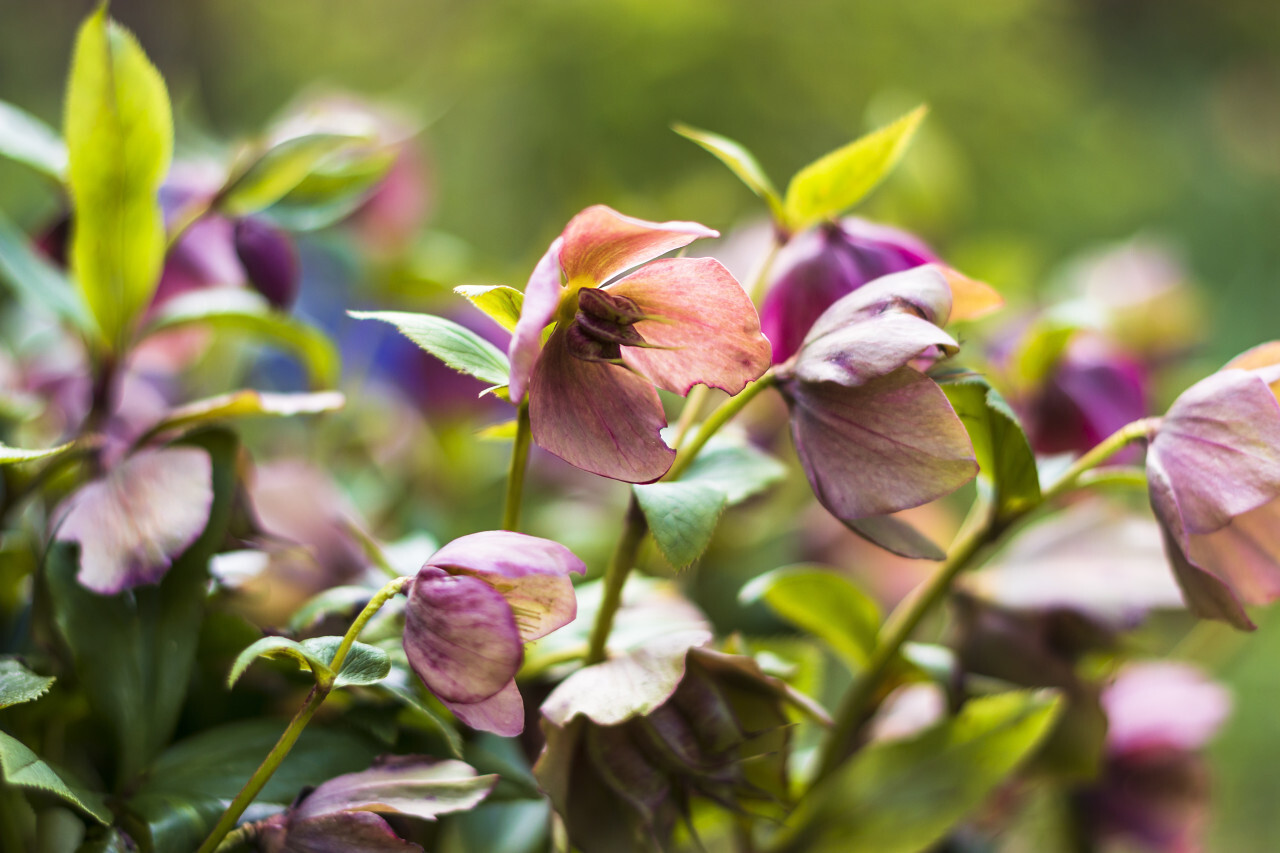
point(598, 417)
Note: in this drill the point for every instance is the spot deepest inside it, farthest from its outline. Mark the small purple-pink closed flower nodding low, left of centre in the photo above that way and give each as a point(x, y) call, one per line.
point(472, 609)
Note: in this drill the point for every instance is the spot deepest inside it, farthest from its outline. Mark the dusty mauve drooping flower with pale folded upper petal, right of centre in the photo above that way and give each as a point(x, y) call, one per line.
point(875, 435)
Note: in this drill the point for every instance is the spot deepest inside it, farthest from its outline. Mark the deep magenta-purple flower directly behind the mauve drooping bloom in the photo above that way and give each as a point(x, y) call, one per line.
point(820, 267)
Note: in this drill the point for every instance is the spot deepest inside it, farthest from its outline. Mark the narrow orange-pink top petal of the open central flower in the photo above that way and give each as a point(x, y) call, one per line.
point(601, 243)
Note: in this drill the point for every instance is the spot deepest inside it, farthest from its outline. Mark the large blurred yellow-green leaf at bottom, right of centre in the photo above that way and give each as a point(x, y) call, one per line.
point(903, 796)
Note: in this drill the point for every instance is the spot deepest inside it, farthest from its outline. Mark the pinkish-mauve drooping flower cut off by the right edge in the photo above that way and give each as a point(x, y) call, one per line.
point(1214, 480)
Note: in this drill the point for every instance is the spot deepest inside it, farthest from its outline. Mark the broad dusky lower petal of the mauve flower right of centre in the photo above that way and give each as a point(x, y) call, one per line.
point(884, 446)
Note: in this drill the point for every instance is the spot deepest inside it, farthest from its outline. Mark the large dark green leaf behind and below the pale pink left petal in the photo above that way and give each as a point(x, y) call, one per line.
point(134, 653)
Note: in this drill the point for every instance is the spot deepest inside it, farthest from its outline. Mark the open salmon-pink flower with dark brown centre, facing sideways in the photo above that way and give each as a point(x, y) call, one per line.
point(671, 325)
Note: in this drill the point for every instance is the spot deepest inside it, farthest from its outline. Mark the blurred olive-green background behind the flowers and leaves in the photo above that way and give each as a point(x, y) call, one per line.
point(1055, 126)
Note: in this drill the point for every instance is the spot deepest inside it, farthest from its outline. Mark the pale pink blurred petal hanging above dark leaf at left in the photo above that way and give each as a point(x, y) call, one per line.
point(135, 522)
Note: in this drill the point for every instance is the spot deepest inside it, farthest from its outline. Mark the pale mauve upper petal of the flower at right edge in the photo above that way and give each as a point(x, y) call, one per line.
point(1219, 451)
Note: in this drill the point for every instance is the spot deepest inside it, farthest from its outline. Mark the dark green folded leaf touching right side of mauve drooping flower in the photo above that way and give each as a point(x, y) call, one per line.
point(1004, 455)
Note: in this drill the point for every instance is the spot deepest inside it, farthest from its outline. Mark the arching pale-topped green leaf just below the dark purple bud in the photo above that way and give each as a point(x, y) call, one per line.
point(230, 309)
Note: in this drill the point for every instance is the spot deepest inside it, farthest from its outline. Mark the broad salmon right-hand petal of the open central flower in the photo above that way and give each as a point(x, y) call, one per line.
point(706, 326)
